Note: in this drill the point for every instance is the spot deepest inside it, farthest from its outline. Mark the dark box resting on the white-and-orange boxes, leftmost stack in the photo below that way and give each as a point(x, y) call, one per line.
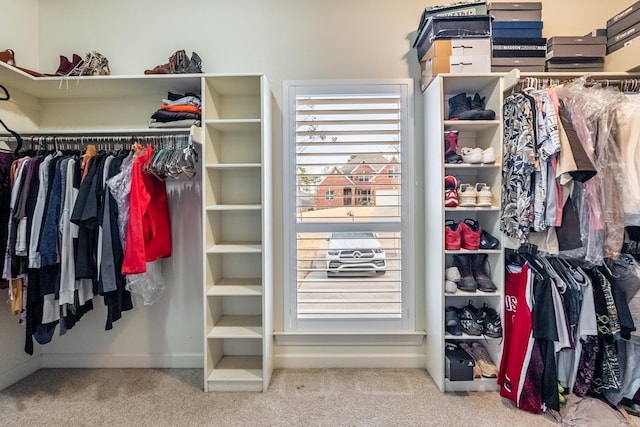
point(451, 28)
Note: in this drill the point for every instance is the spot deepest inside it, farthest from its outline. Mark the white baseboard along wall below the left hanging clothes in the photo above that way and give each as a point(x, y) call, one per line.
point(101, 360)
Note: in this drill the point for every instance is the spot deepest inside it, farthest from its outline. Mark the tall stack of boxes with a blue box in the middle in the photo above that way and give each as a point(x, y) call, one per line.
point(517, 37)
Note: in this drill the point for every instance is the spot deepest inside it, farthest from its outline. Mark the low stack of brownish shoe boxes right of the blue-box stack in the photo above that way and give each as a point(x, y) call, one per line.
point(584, 53)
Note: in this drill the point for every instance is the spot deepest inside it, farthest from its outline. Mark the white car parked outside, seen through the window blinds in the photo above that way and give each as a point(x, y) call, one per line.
point(355, 253)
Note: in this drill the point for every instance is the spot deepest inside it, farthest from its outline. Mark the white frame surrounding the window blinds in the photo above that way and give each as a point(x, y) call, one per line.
point(407, 322)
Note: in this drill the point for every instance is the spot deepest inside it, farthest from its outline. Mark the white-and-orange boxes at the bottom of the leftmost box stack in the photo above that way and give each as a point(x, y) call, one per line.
point(456, 56)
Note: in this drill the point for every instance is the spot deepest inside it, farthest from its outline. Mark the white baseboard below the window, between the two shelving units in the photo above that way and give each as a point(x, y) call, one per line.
point(398, 361)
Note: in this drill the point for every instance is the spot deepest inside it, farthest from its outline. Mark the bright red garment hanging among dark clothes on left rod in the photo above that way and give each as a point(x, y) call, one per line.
point(148, 234)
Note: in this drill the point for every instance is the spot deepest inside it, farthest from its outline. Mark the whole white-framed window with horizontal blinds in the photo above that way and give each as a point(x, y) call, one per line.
point(348, 259)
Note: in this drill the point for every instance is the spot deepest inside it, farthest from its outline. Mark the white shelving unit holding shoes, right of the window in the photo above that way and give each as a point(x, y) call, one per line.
point(483, 134)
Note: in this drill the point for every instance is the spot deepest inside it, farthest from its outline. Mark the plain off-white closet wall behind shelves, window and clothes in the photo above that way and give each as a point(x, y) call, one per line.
point(285, 39)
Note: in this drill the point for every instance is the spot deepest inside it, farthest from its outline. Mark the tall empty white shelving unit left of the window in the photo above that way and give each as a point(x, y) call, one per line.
point(237, 226)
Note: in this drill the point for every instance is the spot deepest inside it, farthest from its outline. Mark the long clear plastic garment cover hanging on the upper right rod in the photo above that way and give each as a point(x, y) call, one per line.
point(593, 114)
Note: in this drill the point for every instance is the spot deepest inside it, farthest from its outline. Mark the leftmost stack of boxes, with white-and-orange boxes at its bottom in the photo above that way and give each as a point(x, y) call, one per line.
point(454, 39)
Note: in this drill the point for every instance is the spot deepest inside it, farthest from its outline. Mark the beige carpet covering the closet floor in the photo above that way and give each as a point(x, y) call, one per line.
point(296, 397)
